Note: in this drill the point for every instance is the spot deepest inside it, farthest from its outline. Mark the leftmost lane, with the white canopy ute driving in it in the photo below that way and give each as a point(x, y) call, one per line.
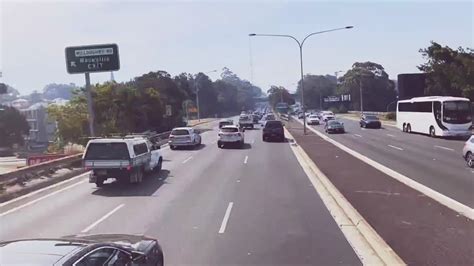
point(64, 209)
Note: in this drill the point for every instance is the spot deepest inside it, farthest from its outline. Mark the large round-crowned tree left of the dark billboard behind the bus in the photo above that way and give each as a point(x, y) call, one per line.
point(377, 89)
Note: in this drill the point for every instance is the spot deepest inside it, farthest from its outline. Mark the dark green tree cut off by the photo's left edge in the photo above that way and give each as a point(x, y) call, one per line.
point(13, 127)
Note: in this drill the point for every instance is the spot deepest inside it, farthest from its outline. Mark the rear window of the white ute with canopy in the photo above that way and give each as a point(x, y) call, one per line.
point(107, 151)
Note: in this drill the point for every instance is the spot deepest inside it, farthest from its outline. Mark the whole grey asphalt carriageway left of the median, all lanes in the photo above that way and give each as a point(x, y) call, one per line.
point(208, 206)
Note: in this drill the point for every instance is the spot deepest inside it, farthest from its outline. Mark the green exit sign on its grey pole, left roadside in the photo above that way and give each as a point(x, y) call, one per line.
point(88, 59)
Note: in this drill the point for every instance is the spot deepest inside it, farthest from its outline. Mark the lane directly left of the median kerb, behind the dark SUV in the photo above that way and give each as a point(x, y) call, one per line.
point(277, 216)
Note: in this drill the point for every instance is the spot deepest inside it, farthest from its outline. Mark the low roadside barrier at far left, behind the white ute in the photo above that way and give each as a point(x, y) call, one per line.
point(29, 172)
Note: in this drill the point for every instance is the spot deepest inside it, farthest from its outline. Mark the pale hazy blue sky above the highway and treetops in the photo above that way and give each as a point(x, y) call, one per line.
point(201, 36)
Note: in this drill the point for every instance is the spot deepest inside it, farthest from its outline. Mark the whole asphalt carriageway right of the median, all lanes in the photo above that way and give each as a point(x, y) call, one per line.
point(434, 162)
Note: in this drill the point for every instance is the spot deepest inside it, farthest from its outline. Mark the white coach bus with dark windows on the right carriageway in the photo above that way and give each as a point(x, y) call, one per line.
point(435, 115)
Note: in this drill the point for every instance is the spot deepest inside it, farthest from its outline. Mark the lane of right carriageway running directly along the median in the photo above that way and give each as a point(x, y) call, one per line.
point(445, 174)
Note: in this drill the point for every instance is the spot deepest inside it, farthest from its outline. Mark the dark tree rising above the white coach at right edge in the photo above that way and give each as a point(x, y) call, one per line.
point(449, 72)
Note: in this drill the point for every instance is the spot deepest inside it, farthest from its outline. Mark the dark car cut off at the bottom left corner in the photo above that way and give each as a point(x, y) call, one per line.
point(84, 250)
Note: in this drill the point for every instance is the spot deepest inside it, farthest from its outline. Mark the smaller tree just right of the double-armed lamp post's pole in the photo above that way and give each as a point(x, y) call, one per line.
point(316, 87)
